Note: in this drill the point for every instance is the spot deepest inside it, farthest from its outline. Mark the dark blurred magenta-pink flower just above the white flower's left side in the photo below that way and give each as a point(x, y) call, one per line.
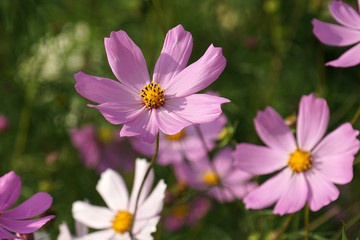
point(102, 153)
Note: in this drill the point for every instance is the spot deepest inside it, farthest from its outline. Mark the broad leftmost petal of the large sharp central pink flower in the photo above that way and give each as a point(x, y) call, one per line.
point(101, 90)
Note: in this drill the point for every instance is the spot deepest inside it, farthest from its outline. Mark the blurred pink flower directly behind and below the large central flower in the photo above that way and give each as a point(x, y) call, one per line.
point(185, 144)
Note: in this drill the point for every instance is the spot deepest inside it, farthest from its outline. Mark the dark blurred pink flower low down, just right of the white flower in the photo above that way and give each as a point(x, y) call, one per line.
point(186, 214)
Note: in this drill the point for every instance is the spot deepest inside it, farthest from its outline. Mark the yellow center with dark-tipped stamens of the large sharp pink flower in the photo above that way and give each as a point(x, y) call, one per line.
point(152, 95)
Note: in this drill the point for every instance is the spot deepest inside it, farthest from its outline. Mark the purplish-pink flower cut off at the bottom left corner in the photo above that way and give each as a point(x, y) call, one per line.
point(13, 219)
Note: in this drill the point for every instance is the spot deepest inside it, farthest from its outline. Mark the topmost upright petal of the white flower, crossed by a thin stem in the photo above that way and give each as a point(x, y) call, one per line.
point(141, 166)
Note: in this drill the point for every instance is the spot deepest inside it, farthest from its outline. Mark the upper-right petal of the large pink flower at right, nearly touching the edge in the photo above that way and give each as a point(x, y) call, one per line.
point(341, 141)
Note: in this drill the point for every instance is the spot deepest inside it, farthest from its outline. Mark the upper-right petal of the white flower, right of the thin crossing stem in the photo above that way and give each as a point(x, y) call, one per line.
point(153, 204)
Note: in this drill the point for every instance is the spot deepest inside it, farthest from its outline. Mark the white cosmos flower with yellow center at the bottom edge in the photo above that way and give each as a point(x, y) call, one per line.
point(114, 221)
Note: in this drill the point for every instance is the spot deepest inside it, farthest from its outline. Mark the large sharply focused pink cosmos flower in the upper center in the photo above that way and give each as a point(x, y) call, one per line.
point(167, 102)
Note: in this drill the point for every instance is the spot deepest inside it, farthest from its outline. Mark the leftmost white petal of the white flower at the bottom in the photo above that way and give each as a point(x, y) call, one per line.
point(92, 216)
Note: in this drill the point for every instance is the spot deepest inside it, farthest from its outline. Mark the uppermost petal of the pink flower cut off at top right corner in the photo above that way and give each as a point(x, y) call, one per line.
point(345, 14)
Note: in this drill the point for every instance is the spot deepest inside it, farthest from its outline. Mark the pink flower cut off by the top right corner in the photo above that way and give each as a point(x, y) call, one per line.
point(346, 34)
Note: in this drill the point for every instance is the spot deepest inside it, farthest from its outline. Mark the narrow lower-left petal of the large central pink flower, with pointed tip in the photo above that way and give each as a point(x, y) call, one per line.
point(117, 113)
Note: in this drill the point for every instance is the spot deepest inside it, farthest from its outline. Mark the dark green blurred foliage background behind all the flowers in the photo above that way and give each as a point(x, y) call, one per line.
point(272, 59)
